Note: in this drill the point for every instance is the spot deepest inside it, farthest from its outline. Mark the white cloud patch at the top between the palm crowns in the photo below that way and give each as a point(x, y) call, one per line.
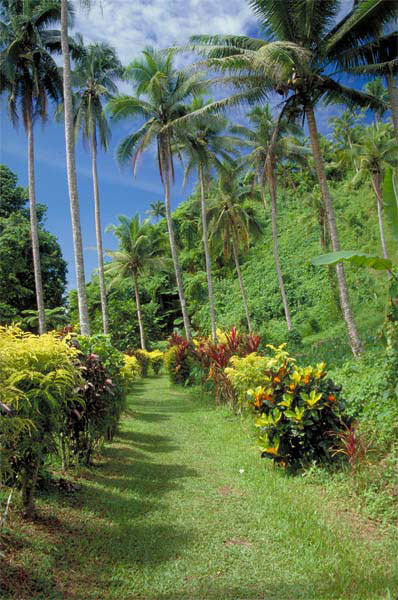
point(131, 25)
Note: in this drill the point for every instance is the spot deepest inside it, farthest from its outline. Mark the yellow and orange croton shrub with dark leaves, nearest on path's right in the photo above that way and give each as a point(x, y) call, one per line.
point(297, 409)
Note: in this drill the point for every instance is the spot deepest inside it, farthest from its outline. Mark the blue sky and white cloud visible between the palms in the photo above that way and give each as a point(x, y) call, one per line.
point(128, 26)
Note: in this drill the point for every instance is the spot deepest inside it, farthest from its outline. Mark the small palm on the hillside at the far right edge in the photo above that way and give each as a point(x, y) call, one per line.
point(377, 150)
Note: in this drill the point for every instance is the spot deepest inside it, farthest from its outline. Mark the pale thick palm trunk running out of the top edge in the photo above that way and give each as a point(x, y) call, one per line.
point(71, 173)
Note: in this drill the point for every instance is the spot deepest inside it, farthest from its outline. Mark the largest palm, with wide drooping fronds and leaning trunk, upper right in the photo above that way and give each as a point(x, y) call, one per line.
point(303, 43)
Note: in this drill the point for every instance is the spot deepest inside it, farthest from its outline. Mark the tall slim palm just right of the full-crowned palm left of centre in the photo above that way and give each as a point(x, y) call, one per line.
point(205, 145)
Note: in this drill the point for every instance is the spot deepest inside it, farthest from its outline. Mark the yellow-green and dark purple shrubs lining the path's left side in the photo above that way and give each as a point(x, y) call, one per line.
point(58, 395)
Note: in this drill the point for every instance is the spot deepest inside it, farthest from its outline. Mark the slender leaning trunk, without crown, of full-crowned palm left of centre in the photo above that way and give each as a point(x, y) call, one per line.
point(164, 161)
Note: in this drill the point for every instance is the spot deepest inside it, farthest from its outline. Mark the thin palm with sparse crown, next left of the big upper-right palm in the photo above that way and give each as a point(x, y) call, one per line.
point(285, 148)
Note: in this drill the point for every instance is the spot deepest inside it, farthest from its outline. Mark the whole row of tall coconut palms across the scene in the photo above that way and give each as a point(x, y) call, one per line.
point(301, 54)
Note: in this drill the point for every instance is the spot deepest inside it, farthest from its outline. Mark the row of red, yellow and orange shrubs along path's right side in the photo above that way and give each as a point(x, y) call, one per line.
point(298, 410)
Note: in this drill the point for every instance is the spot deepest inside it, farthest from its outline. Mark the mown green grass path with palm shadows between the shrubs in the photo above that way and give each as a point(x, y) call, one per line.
point(181, 507)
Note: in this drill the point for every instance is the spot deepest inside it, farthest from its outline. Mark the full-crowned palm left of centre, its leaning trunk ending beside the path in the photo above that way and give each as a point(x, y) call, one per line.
point(161, 91)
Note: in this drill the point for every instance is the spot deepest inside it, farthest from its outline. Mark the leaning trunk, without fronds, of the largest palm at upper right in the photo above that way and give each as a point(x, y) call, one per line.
point(354, 339)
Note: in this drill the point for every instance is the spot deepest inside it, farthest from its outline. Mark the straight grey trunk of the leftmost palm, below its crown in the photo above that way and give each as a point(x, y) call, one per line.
point(34, 228)
